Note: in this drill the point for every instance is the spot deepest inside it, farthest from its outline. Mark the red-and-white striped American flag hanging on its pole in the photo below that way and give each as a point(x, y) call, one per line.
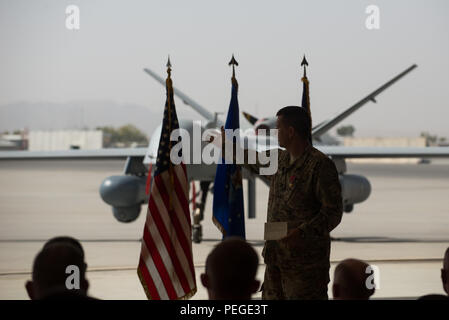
point(166, 264)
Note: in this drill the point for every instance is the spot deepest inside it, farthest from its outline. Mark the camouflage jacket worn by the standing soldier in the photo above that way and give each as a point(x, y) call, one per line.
point(307, 195)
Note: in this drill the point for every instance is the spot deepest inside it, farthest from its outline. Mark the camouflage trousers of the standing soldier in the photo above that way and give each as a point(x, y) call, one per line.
point(291, 281)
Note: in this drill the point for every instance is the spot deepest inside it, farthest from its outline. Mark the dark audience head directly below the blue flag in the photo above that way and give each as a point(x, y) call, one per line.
point(231, 270)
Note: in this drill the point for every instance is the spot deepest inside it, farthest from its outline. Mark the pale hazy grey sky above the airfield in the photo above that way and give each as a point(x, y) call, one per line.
point(41, 60)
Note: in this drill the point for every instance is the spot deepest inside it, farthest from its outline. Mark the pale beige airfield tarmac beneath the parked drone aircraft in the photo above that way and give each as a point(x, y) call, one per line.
point(403, 227)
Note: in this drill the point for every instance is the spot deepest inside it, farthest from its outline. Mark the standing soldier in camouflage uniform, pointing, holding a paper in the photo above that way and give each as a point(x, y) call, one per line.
point(305, 192)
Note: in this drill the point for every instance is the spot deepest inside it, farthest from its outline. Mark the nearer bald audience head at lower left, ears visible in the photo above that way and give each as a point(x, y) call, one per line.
point(49, 270)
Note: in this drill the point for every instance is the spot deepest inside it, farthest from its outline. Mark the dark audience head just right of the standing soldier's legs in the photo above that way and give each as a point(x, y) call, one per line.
point(350, 281)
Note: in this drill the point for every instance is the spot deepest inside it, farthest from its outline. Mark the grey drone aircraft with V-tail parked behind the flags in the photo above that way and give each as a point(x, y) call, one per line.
point(127, 192)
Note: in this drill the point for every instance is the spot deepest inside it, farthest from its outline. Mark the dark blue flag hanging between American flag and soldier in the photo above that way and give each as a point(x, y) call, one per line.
point(228, 211)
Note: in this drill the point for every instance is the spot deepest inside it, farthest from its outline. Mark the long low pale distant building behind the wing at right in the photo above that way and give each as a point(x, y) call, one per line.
point(385, 142)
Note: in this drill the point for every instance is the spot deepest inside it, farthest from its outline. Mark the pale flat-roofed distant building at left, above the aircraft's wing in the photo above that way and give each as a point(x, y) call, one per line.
point(65, 140)
